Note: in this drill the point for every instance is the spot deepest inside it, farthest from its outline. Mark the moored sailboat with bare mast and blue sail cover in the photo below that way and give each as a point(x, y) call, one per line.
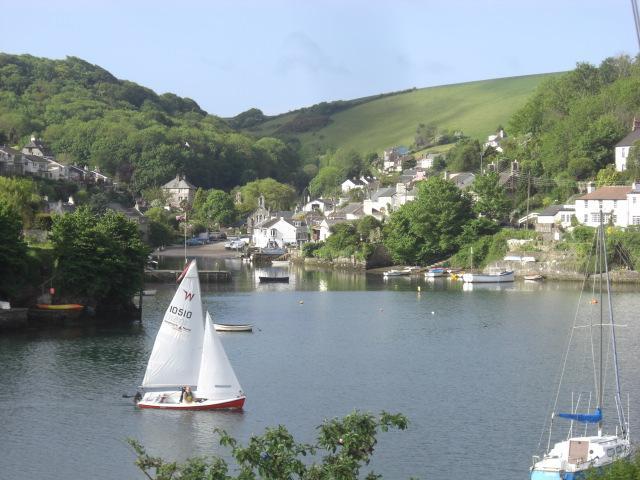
point(575, 455)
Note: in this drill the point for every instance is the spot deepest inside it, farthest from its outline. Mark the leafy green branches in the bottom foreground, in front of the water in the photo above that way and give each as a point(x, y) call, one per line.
point(346, 445)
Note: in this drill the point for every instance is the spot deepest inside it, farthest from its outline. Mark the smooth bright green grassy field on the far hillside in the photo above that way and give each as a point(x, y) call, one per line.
point(476, 108)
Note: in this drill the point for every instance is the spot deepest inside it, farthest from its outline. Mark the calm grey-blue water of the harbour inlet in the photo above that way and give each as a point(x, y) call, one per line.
point(473, 370)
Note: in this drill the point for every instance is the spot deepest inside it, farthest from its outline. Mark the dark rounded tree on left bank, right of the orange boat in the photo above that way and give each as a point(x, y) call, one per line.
point(100, 258)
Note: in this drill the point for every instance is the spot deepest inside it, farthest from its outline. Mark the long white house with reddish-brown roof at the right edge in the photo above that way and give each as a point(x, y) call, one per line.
point(619, 205)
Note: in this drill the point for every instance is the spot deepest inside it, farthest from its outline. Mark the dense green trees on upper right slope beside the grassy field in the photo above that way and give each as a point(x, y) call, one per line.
point(573, 121)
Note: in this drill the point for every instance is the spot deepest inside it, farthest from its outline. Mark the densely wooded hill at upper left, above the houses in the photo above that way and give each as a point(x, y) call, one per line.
point(89, 117)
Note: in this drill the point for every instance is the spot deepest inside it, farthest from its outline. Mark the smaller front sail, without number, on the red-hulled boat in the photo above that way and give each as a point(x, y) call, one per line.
point(217, 380)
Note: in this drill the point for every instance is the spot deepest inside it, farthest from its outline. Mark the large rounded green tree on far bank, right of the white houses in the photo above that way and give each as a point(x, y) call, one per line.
point(427, 229)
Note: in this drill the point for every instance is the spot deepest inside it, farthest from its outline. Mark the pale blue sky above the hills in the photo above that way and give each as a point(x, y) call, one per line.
point(280, 55)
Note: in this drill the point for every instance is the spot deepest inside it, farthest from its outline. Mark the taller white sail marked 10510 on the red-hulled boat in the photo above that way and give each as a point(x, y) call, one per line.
point(176, 354)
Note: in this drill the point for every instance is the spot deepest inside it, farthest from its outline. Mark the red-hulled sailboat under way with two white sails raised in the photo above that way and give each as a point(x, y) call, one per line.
point(188, 368)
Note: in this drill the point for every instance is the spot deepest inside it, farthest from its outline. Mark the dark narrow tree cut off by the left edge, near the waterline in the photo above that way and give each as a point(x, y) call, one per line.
point(13, 250)
